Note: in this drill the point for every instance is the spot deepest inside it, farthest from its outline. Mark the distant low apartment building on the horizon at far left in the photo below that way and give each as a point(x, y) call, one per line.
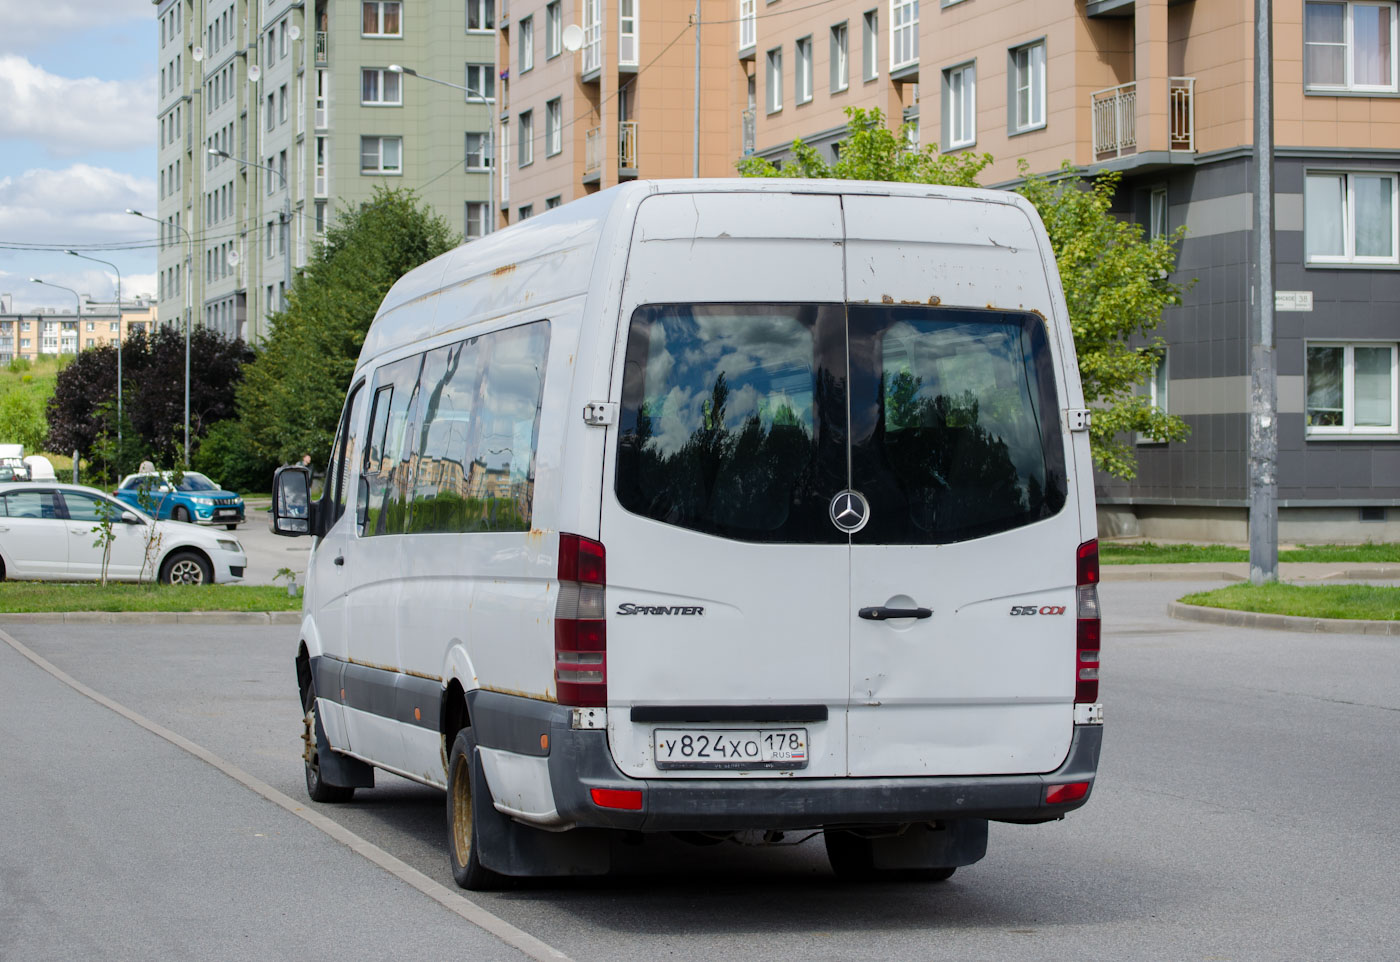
point(92, 324)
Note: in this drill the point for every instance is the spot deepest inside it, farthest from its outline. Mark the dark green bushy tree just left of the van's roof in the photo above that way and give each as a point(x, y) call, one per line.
point(292, 394)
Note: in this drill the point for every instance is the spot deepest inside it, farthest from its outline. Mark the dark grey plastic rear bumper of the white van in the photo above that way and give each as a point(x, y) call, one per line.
point(580, 761)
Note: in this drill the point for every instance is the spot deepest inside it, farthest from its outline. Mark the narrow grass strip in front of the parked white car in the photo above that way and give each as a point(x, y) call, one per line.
point(52, 597)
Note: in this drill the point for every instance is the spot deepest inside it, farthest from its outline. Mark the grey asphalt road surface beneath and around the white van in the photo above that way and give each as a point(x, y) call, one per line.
point(1244, 811)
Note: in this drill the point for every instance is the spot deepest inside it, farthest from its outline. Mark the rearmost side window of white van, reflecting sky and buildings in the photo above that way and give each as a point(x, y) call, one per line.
point(479, 432)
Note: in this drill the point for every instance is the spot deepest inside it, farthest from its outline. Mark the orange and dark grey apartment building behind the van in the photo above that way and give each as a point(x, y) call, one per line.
point(1160, 90)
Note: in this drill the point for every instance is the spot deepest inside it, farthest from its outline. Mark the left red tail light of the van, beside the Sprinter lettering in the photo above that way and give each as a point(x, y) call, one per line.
point(580, 631)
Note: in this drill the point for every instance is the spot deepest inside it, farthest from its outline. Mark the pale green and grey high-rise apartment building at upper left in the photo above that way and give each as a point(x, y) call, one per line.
point(275, 113)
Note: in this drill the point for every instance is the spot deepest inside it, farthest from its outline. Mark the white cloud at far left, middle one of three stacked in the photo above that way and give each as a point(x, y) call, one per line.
point(72, 116)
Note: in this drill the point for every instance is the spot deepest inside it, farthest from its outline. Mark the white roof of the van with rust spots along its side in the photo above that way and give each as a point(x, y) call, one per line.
point(552, 256)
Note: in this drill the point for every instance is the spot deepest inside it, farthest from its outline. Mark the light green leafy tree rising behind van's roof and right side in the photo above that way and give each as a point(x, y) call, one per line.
point(1115, 279)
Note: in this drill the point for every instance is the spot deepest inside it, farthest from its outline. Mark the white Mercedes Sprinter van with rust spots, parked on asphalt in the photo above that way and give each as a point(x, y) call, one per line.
point(715, 508)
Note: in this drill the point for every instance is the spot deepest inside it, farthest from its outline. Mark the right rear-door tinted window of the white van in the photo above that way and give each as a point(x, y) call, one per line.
point(954, 424)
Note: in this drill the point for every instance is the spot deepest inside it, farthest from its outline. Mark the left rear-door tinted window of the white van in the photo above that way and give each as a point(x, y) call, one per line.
point(733, 419)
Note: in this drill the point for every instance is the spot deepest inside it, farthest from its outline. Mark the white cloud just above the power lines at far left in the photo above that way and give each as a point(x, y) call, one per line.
point(76, 207)
